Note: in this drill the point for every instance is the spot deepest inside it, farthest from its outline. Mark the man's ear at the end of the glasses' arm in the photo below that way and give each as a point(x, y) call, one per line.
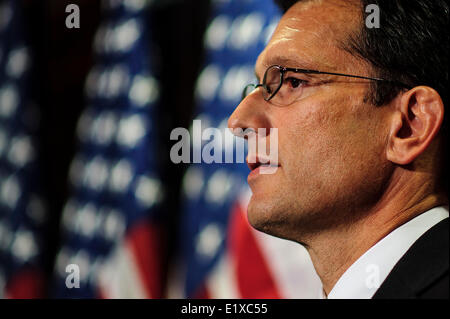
point(416, 122)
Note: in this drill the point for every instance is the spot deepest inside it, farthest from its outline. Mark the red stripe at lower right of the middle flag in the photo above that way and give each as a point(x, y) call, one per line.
point(144, 241)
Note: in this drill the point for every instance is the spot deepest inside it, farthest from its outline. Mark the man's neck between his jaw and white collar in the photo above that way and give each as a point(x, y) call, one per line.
point(334, 251)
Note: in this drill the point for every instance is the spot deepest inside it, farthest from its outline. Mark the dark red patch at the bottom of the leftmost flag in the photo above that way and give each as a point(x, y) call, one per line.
point(27, 284)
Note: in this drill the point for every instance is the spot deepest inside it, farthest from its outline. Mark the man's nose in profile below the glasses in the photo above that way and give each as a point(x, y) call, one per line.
point(249, 115)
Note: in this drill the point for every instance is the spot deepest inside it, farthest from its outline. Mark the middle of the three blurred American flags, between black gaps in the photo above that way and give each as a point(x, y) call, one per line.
point(110, 224)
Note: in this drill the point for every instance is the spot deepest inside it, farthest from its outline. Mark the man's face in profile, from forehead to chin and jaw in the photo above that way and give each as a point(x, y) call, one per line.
point(331, 143)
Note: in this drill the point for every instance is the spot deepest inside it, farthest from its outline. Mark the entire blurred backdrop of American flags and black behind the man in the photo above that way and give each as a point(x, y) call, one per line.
point(135, 224)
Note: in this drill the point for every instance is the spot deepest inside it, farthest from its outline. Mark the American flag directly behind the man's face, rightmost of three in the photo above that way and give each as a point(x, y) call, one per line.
point(221, 256)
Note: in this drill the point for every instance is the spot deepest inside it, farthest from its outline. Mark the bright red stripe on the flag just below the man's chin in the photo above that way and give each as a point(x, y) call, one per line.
point(253, 274)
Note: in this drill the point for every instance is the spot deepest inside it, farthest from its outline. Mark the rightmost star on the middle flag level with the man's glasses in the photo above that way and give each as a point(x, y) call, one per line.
point(144, 90)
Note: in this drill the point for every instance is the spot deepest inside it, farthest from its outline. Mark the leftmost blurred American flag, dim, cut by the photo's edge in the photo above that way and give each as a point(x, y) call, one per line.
point(22, 207)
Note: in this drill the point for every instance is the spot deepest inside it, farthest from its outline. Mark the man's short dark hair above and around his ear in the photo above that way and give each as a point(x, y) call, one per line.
point(411, 46)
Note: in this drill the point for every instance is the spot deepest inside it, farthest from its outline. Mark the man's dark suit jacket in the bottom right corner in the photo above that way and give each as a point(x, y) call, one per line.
point(423, 271)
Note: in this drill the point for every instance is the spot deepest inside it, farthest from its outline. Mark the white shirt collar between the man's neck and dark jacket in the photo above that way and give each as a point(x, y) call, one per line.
point(362, 279)
